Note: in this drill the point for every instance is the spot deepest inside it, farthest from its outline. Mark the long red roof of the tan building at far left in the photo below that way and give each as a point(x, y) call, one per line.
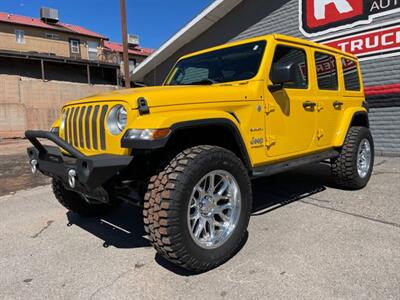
point(34, 22)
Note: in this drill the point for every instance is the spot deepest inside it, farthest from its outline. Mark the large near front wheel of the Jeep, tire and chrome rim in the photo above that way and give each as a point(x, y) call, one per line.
point(197, 209)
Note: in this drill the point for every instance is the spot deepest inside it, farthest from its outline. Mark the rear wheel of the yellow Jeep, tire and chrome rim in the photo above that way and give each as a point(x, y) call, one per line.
point(353, 168)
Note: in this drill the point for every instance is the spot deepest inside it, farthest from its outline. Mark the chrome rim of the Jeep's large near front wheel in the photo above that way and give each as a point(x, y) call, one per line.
point(214, 209)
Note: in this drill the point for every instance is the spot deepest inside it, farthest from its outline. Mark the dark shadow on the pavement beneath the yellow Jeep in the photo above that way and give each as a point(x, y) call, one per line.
point(123, 228)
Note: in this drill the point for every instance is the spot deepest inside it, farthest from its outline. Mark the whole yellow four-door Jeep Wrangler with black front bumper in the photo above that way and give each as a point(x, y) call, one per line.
point(186, 151)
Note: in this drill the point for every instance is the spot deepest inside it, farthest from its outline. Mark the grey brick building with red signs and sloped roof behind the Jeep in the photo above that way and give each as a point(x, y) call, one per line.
point(369, 29)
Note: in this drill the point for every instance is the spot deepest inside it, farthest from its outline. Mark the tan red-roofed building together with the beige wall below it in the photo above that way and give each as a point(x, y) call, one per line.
point(45, 62)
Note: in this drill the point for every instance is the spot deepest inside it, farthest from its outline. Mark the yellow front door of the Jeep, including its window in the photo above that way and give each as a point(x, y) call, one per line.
point(290, 114)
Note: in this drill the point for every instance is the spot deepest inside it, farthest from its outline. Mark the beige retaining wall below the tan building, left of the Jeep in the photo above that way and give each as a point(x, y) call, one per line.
point(27, 103)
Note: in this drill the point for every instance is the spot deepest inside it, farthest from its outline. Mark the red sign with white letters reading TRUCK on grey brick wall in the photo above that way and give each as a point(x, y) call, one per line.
point(374, 42)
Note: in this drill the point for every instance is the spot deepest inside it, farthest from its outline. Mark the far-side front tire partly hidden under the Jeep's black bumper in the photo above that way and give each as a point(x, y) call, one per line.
point(75, 203)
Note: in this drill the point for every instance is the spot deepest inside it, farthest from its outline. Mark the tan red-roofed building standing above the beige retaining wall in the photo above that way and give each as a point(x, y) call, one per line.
point(58, 51)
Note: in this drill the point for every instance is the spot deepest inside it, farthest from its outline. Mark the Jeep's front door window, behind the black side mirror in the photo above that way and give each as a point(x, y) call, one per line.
point(285, 54)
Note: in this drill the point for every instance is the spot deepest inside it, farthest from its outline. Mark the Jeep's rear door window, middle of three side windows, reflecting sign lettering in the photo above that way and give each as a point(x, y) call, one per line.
point(326, 71)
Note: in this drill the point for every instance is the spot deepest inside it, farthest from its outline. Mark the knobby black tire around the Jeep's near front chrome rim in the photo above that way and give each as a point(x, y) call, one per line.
point(166, 204)
